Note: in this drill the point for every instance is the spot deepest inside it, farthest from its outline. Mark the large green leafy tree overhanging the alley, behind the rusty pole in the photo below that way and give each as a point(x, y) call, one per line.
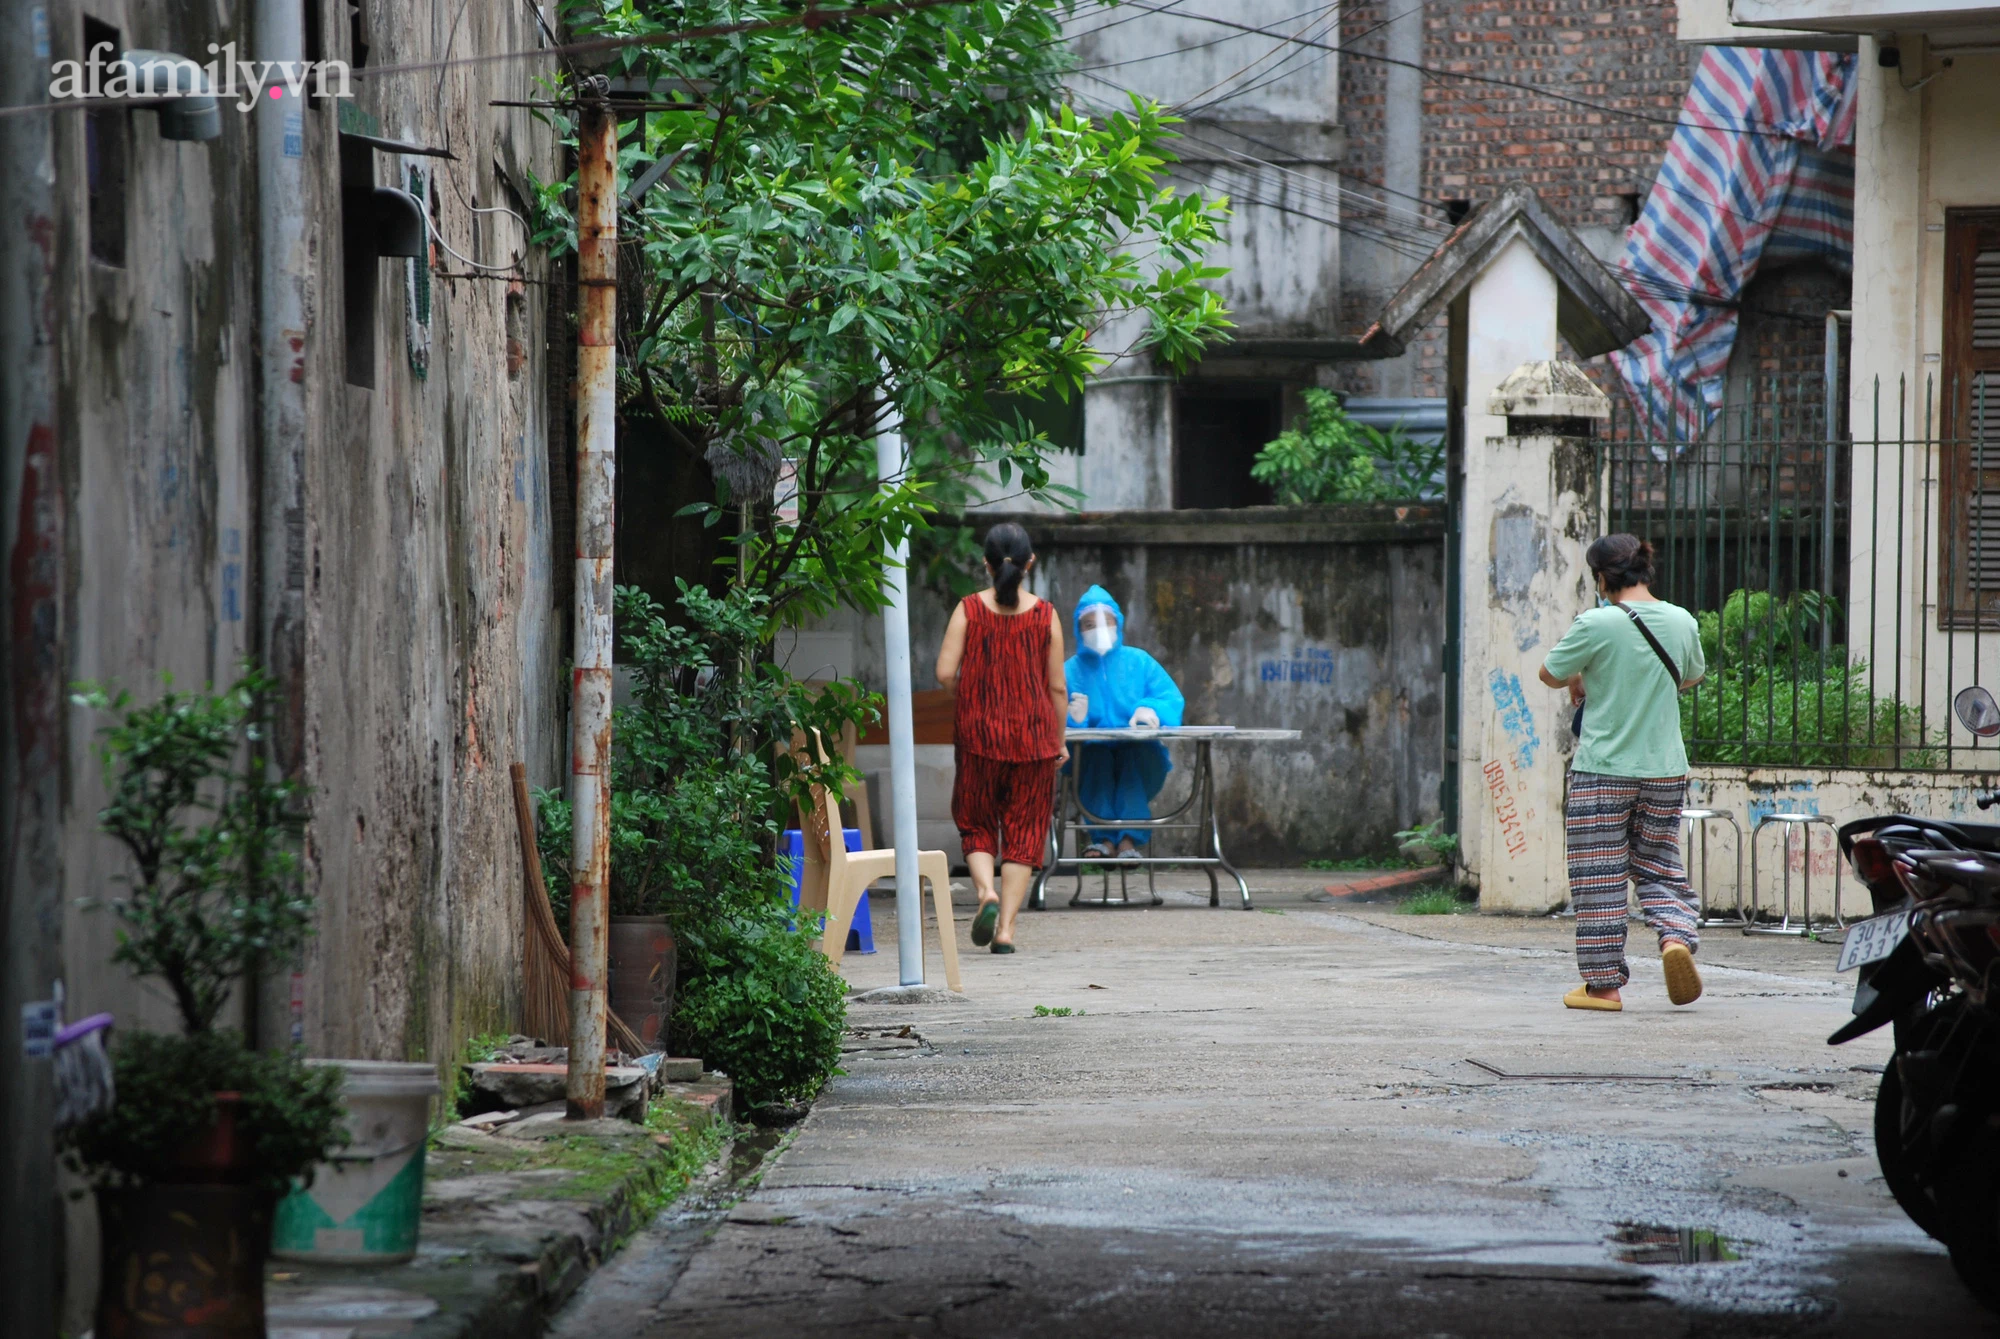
point(879, 221)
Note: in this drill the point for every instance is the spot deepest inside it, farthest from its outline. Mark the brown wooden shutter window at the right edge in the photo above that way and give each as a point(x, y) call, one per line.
point(1971, 421)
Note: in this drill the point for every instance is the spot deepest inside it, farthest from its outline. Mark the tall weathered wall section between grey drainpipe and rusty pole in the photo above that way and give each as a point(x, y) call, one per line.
point(433, 641)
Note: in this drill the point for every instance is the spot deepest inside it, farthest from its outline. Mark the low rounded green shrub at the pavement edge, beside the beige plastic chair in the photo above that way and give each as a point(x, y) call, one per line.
point(761, 1004)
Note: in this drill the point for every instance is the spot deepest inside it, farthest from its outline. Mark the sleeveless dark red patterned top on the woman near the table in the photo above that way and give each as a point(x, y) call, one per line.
point(1005, 708)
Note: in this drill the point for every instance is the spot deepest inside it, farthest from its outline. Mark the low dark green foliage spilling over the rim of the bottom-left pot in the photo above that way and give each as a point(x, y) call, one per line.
point(291, 1112)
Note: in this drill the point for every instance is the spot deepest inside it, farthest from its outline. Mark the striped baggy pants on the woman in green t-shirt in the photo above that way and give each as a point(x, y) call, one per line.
point(1625, 830)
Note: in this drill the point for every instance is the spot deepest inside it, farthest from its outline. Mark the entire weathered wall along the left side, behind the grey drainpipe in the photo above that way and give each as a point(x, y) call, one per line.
point(431, 643)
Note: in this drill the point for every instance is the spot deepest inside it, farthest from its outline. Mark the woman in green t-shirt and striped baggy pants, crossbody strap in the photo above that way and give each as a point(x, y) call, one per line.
point(1627, 663)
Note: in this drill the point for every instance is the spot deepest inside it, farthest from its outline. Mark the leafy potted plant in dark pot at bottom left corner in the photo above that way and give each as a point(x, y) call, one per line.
point(205, 1132)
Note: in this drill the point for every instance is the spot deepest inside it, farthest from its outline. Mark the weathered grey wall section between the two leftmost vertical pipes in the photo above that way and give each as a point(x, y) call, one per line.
point(159, 405)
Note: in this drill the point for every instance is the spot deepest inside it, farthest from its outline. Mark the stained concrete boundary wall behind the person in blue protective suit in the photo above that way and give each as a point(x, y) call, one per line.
point(1319, 621)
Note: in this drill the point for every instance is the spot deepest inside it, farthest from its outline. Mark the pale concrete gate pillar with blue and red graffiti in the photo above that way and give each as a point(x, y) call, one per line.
point(1531, 505)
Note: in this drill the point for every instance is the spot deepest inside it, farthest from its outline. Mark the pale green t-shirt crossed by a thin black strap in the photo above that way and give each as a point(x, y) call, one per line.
point(1631, 706)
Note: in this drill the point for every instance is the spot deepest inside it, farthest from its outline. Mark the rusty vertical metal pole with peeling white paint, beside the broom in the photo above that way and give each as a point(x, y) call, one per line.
point(591, 682)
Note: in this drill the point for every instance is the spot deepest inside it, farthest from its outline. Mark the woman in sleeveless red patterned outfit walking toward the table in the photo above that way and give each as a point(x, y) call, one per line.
point(1003, 663)
